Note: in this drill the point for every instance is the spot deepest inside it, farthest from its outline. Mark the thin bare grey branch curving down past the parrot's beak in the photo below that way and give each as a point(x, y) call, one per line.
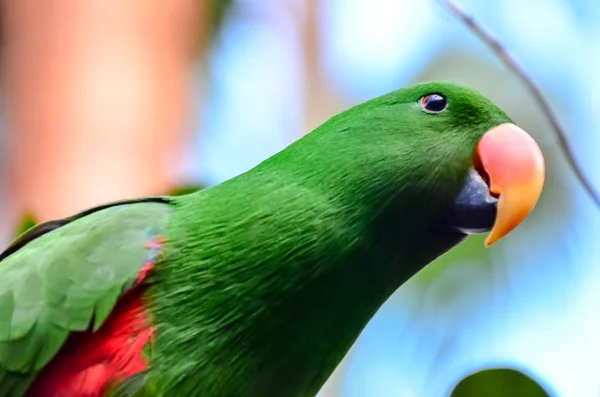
point(487, 37)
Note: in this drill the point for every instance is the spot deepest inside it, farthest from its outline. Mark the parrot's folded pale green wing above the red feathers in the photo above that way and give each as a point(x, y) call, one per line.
point(66, 276)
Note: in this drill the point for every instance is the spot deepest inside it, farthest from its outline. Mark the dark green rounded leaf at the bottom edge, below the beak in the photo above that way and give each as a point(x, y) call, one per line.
point(501, 382)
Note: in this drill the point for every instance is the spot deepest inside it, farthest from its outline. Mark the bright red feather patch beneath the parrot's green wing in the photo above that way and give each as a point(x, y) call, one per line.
point(89, 363)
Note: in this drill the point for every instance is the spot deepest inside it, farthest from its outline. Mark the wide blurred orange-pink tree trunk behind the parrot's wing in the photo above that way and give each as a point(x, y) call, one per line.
point(96, 95)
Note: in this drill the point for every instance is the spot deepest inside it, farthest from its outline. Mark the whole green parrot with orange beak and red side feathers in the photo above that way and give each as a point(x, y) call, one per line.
point(259, 286)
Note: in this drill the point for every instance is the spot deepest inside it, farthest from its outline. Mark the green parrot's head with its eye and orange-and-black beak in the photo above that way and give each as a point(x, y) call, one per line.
point(433, 154)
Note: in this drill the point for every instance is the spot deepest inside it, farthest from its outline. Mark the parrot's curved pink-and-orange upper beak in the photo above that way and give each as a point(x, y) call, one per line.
point(515, 166)
